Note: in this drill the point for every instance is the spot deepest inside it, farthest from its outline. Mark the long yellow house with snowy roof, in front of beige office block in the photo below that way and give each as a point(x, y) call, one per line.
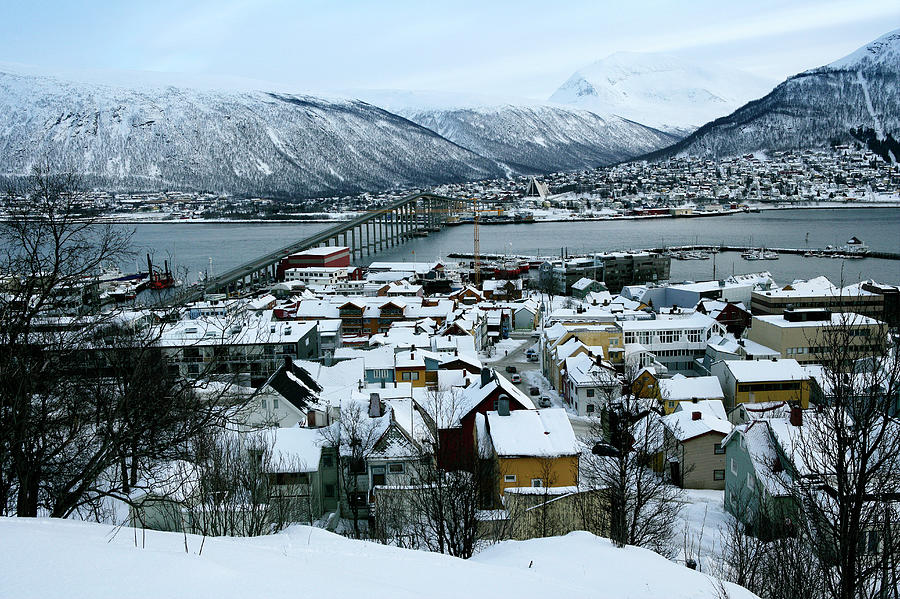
point(757, 381)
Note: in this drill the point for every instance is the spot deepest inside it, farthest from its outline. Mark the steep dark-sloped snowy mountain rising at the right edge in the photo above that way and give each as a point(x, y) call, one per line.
point(812, 109)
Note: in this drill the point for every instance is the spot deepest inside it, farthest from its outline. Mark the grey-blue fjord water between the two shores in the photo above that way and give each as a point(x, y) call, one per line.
point(192, 245)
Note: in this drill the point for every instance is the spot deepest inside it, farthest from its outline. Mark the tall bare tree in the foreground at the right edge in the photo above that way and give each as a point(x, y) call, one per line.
point(847, 470)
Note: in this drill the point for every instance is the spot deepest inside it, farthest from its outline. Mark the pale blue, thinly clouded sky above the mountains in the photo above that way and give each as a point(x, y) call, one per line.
point(514, 48)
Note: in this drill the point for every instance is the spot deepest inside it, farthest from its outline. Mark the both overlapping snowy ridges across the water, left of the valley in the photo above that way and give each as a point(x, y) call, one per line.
point(137, 134)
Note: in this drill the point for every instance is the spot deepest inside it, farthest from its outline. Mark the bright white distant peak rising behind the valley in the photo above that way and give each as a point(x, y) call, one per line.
point(660, 90)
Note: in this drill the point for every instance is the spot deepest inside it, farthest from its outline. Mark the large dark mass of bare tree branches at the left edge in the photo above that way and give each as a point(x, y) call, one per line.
point(87, 398)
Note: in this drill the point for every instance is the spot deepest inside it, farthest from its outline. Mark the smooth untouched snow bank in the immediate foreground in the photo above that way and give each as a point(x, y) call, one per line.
point(53, 558)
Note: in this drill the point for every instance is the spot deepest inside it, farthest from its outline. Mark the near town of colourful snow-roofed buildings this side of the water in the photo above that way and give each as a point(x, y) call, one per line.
point(360, 387)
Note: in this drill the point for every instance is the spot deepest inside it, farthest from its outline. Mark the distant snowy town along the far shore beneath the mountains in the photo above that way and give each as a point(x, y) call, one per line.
point(843, 175)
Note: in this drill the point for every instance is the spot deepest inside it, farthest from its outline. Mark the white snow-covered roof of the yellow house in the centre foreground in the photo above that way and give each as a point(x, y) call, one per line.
point(532, 433)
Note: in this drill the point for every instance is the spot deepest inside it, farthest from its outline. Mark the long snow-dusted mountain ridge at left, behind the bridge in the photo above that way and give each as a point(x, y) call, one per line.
point(154, 136)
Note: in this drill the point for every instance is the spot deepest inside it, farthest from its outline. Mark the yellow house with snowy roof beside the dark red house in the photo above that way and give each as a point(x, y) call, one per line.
point(531, 449)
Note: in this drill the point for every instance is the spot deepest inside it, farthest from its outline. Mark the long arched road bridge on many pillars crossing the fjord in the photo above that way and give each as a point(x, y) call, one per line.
point(377, 230)
